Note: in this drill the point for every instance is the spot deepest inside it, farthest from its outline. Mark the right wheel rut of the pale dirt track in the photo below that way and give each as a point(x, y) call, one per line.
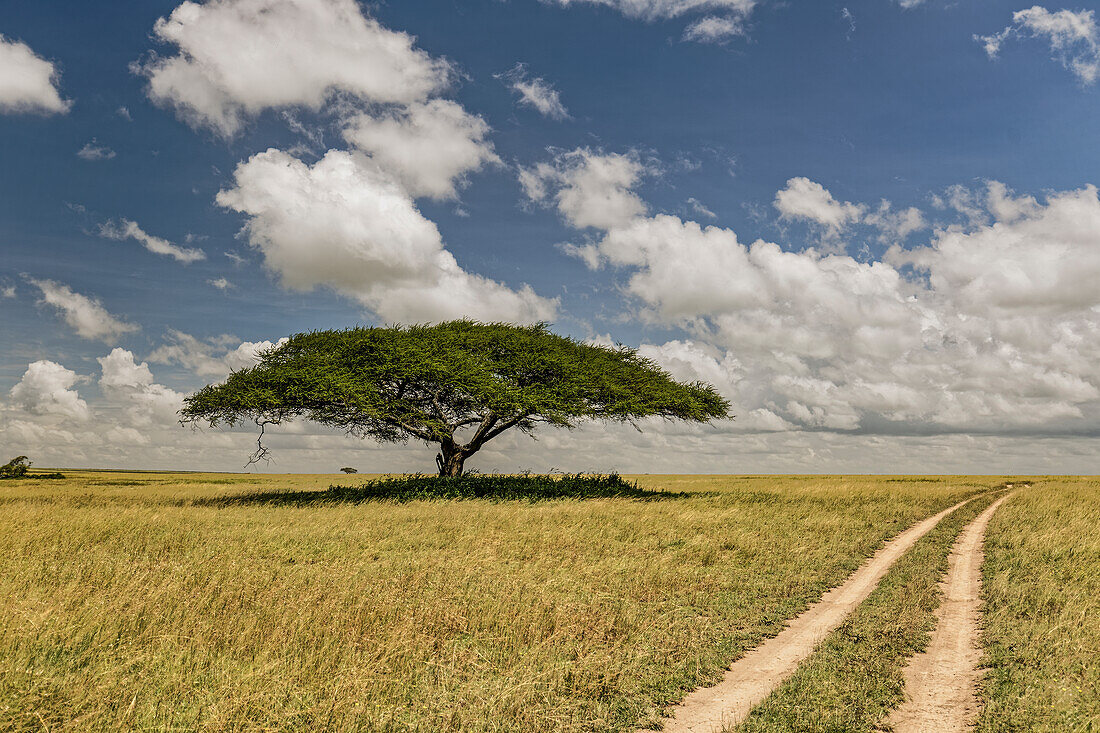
point(941, 682)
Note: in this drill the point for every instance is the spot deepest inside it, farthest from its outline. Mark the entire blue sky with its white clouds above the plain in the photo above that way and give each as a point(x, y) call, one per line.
point(871, 224)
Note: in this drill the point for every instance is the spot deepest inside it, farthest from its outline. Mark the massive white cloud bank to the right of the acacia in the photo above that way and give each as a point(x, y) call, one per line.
point(988, 329)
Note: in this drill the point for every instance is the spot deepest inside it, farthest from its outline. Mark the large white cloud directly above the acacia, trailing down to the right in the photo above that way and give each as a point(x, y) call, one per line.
point(345, 224)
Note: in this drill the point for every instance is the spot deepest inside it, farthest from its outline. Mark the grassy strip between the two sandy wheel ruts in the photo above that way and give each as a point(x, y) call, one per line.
point(855, 677)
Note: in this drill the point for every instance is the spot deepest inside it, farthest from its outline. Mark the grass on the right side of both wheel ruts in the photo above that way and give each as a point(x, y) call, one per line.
point(1042, 593)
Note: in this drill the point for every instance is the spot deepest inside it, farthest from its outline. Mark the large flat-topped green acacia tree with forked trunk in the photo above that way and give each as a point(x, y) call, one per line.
point(459, 385)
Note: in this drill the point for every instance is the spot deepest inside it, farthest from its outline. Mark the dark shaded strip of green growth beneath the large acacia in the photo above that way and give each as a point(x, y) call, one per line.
point(494, 488)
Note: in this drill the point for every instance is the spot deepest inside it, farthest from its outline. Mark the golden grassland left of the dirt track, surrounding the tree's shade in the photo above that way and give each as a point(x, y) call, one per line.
point(148, 601)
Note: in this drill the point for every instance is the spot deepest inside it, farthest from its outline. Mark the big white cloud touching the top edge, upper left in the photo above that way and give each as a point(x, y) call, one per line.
point(239, 58)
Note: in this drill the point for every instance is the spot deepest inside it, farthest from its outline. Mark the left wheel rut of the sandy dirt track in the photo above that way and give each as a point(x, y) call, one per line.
point(758, 673)
